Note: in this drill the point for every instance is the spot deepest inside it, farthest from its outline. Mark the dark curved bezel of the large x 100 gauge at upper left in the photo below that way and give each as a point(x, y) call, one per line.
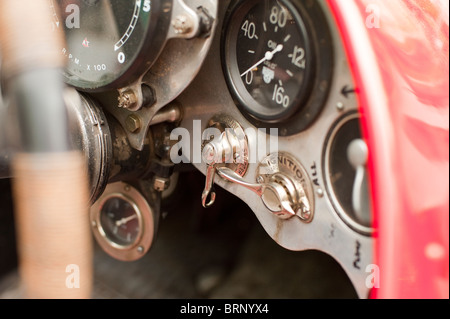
point(152, 45)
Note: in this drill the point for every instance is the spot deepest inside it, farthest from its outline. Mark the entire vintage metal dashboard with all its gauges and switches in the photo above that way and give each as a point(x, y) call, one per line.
point(257, 95)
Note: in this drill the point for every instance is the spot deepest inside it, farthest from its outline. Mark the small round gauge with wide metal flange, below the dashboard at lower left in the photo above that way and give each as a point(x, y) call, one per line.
point(123, 222)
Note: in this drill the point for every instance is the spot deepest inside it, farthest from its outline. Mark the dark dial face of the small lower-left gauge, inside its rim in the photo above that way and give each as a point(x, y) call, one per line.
point(120, 222)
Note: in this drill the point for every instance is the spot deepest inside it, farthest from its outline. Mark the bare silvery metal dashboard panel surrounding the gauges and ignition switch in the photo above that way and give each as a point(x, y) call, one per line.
point(208, 95)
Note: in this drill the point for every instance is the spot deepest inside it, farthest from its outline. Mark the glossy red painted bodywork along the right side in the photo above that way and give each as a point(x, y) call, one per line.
point(402, 79)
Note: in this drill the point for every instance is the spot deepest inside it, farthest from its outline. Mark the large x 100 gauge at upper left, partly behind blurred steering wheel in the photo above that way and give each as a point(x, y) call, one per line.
point(110, 42)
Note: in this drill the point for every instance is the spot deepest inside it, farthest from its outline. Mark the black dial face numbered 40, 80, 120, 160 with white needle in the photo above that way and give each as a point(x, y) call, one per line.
point(268, 59)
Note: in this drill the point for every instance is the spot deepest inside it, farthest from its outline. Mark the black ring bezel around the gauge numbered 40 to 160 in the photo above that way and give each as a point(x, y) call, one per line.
point(309, 107)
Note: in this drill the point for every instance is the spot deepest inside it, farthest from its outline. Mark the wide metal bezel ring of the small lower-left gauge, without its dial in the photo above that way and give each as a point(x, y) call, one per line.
point(144, 239)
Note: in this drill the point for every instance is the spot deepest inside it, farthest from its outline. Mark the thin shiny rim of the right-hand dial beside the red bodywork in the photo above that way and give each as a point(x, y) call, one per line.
point(326, 158)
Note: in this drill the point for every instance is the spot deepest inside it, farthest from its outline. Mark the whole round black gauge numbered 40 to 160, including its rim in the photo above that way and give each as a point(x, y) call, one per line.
point(270, 58)
